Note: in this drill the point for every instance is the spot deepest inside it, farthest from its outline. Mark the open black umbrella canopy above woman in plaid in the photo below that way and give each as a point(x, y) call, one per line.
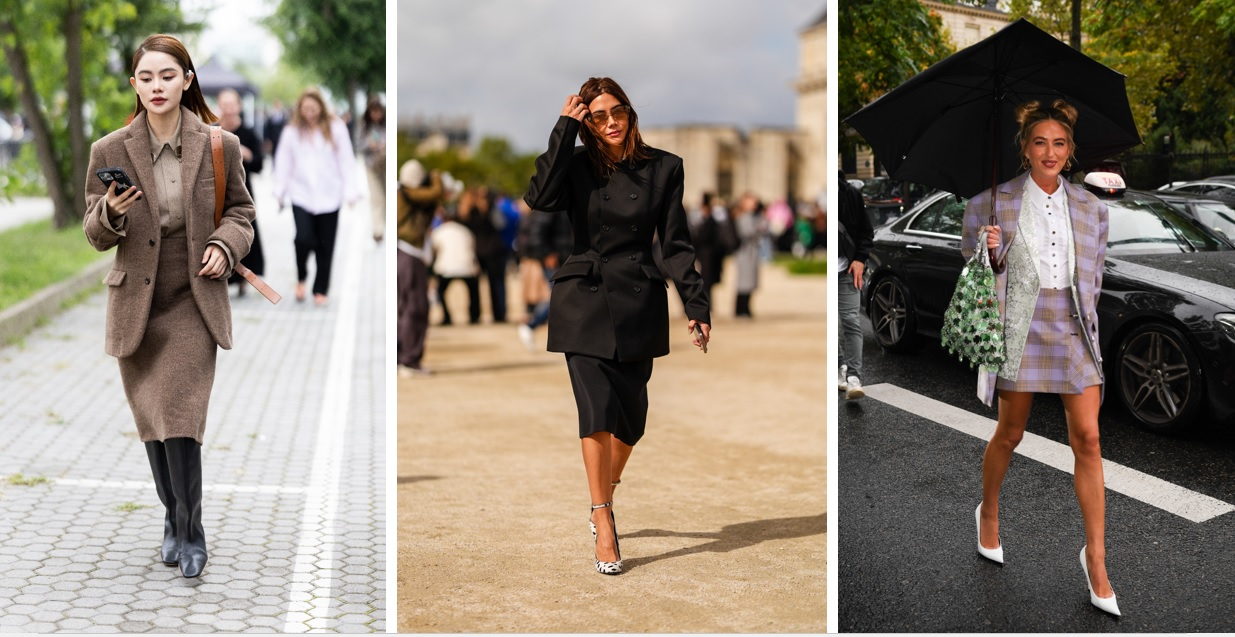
point(953, 125)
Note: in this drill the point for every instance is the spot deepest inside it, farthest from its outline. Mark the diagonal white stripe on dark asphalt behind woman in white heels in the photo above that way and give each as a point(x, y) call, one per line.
point(1155, 492)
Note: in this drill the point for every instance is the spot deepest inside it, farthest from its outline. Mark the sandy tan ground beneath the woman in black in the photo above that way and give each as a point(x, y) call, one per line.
point(722, 512)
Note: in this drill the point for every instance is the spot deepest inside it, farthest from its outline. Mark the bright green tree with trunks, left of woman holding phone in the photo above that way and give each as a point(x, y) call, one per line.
point(67, 66)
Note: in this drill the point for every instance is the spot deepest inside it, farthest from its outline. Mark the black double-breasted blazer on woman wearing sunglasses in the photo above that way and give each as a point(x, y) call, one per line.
point(609, 298)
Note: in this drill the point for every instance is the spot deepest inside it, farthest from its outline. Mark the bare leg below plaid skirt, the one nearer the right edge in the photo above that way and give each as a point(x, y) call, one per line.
point(1082, 414)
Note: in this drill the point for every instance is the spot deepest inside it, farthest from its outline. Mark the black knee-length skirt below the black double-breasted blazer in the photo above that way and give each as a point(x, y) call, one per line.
point(612, 396)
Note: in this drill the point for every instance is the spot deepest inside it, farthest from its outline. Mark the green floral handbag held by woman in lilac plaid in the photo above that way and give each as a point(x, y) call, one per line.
point(973, 329)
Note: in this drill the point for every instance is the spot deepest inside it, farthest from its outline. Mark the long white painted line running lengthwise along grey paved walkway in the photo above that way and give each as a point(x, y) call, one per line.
point(314, 575)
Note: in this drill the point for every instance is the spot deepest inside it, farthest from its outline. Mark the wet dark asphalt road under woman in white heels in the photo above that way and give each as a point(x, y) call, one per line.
point(907, 543)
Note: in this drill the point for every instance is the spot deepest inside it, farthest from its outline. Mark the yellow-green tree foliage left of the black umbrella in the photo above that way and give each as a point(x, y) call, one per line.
point(881, 46)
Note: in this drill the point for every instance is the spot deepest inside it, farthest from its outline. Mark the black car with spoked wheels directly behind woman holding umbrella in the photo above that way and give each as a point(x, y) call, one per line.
point(1166, 314)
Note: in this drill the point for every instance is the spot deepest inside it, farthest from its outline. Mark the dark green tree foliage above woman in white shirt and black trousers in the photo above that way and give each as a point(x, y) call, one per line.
point(340, 41)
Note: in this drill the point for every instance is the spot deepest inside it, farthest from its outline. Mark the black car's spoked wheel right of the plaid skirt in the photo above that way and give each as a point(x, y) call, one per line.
point(1160, 380)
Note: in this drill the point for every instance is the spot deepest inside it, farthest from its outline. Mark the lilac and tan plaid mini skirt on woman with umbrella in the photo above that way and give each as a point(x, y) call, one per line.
point(1057, 360)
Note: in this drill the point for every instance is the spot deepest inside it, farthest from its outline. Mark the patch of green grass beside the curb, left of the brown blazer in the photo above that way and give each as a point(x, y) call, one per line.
point(35, 256)
